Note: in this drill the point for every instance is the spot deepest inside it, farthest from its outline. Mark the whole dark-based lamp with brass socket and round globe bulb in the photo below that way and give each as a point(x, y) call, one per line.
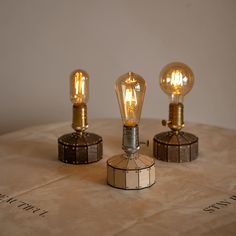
point(176, 80)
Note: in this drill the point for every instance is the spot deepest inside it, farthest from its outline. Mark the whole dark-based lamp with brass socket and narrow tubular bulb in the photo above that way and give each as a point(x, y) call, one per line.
point(79, 147)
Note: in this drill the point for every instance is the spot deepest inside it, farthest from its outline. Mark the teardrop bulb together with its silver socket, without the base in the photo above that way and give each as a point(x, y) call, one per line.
point(130, 91)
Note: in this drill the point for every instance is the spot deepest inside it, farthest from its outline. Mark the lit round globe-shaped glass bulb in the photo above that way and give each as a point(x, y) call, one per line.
point(176, 80)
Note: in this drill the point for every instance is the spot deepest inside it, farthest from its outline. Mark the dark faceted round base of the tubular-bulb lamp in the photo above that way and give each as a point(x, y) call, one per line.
point(76, 149)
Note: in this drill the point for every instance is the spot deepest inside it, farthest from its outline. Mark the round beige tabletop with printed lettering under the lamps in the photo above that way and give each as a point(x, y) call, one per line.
point(41, 196)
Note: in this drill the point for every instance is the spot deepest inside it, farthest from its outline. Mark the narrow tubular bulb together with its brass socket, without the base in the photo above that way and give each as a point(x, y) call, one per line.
point(79, 94)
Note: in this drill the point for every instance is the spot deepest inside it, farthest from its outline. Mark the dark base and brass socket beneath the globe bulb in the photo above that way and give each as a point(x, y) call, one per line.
point(175, 145)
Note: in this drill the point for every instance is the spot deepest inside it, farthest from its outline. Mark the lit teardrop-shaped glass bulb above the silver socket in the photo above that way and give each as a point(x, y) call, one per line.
point(130, 90)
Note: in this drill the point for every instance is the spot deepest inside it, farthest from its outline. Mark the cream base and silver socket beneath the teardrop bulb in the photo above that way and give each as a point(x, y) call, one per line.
point(130, 171)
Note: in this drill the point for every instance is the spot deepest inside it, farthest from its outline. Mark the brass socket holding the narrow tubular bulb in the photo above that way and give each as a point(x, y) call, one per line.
point(80, 122)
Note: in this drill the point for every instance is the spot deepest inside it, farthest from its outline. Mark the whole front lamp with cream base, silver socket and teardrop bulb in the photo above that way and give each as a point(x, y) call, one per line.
point(130, 170)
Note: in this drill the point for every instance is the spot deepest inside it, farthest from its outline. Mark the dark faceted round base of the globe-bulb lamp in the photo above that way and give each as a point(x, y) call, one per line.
point(172, 147)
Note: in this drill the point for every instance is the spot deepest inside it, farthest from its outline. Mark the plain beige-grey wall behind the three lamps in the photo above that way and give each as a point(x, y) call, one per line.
point(42, 41)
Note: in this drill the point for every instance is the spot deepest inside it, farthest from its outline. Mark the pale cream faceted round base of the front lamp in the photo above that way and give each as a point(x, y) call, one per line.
point(136, 173)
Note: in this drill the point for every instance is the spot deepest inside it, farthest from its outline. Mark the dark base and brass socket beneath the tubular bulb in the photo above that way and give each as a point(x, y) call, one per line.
point(80, 147)
